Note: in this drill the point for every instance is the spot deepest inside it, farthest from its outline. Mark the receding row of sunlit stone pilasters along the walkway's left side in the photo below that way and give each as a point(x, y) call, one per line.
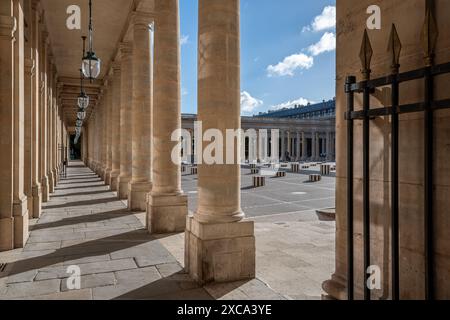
point(33, 134)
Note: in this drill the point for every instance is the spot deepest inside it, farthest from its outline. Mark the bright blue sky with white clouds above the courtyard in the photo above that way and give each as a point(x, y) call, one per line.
point(287, 53)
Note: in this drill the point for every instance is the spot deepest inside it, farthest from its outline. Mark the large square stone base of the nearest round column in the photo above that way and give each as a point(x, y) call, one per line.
point(222, 252)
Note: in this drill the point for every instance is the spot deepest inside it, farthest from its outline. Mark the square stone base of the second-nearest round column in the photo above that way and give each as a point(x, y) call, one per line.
point(166, 213)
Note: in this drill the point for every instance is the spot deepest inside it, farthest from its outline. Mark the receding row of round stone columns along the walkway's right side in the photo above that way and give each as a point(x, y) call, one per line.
point(129, 135)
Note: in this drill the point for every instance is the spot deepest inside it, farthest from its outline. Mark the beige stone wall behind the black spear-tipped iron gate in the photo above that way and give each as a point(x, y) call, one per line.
point(408, 17)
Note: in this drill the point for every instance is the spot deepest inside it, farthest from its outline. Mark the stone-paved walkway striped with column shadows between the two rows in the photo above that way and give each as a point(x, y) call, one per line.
point(85, 225)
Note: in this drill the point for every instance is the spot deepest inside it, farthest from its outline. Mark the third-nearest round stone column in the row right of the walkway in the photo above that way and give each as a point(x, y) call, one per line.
point(140, 183)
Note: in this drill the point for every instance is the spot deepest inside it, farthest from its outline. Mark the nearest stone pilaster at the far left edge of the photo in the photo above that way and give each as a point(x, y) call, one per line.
point(7, 30)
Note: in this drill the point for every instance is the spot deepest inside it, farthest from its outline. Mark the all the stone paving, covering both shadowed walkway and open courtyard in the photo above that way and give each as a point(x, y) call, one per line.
point(85, 225)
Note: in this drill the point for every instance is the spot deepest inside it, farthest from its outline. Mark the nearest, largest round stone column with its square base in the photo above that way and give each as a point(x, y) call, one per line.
point(220, 246)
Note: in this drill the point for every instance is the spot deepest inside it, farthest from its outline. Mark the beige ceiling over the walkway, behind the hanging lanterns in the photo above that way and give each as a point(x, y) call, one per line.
point(110, 18)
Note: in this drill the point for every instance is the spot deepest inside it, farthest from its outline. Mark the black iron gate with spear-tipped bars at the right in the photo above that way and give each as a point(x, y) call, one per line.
point(428, 106)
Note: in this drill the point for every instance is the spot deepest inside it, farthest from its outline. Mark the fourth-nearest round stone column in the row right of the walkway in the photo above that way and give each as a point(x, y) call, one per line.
point(126, 97)
